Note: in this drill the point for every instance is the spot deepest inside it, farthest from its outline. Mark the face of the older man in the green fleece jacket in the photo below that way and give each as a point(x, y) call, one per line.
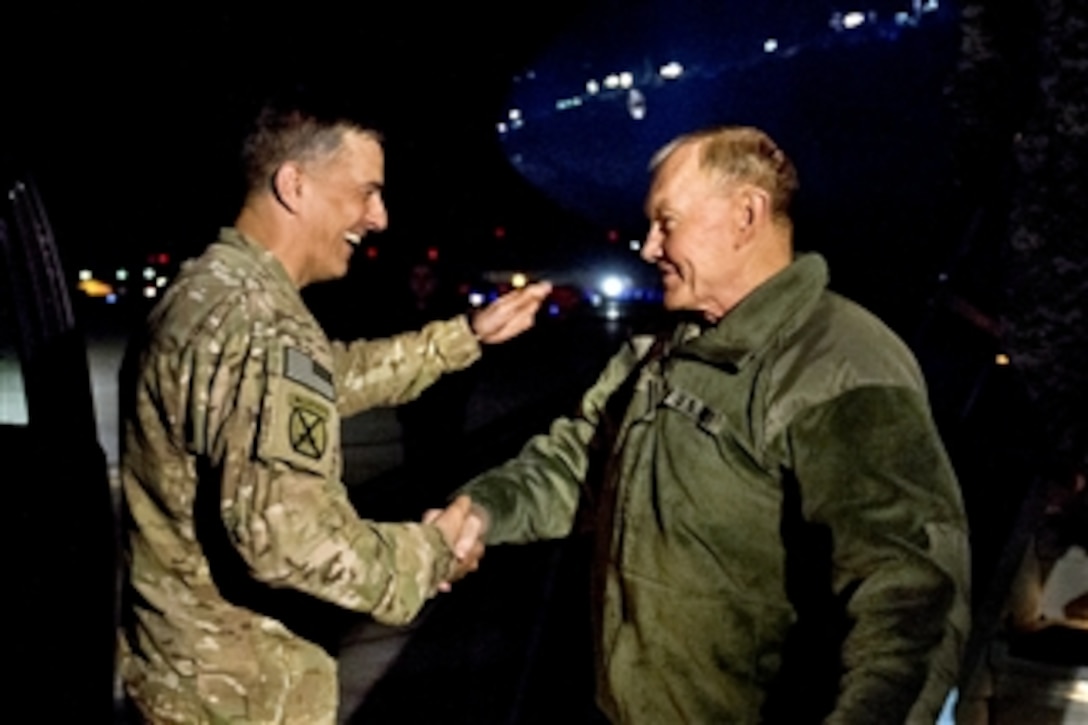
point(694, 239)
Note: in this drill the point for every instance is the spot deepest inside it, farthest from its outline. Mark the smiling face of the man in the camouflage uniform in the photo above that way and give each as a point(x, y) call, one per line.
point(341, 205)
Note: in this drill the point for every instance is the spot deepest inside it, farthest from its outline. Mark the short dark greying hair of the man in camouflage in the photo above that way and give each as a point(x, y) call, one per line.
point(283, 133)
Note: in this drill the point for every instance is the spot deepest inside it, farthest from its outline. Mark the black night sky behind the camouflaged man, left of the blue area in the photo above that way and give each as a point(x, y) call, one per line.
point(130, 120)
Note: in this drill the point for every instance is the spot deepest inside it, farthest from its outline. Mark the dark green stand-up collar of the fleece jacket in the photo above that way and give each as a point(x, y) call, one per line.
point(774, 310)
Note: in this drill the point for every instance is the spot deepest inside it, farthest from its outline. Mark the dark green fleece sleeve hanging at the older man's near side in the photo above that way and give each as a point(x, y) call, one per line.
point(872, 469)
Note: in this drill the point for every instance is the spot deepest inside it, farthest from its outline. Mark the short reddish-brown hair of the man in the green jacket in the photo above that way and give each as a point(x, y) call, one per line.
point(741, 154)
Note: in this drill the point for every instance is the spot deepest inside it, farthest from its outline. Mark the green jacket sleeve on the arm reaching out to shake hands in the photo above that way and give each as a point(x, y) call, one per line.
point(536, 495)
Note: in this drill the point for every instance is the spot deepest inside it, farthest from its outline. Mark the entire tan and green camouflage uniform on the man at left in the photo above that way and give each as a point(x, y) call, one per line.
point(231, 472)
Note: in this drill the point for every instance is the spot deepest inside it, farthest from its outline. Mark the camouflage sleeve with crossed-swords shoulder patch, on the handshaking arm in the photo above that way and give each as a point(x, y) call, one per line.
point(268, 436)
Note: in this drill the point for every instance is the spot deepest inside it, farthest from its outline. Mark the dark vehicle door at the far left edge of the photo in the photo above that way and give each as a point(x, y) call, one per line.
point(59, 573)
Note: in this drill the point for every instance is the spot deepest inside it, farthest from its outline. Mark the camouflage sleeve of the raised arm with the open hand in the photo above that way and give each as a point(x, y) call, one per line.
point(379, 373)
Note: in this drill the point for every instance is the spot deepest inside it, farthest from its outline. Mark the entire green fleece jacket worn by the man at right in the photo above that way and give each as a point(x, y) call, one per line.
point(780, 534)
